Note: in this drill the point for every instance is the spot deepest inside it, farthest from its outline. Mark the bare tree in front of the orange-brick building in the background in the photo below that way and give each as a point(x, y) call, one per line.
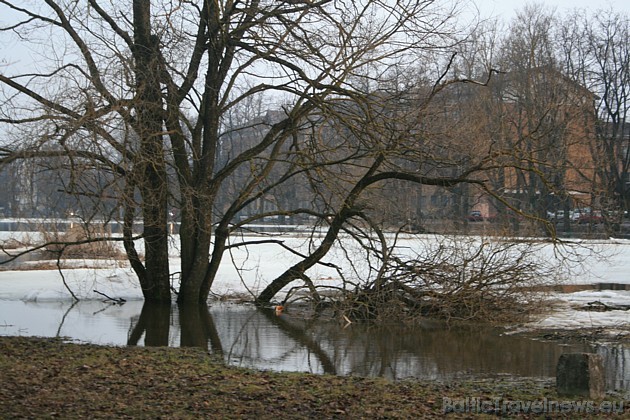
point(547, 120)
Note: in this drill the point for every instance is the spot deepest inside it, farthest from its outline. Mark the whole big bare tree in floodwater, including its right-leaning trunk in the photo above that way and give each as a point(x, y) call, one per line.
point(147, 108)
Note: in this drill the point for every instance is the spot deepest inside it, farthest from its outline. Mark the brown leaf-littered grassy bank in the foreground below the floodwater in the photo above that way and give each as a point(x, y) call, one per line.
point(47, 378)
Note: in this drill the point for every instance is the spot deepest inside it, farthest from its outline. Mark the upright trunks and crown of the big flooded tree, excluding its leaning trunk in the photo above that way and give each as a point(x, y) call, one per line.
point(115, 93)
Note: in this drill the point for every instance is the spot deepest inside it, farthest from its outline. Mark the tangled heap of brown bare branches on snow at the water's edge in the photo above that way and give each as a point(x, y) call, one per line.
point(456, 279)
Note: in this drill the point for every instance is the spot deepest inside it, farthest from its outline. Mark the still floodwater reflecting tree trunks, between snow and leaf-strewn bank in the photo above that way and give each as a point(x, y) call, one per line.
point(247, 336)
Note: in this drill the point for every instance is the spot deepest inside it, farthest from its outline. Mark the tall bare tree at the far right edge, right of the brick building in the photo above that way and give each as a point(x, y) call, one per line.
point(596, 54)
